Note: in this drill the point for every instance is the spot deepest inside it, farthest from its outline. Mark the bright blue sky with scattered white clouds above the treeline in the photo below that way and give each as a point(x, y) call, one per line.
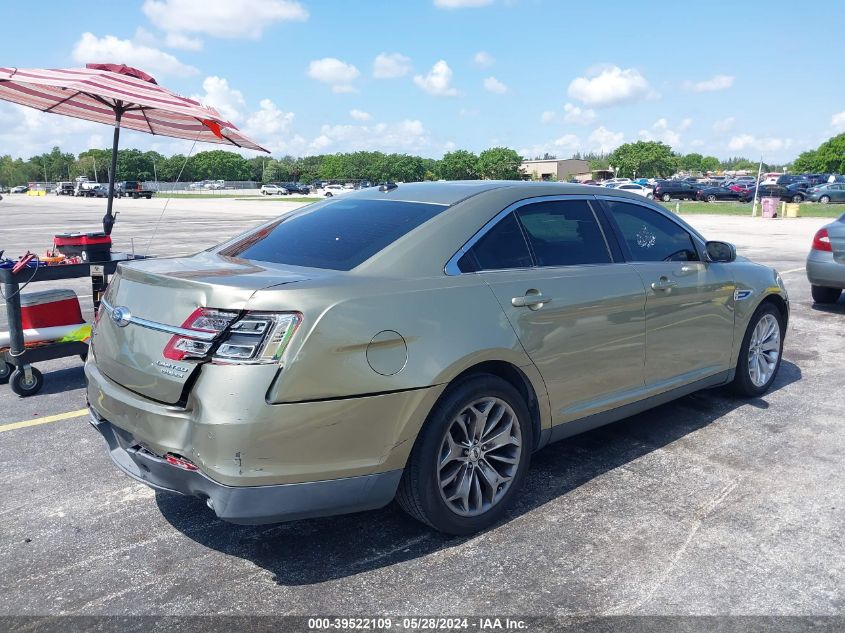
point(427, 76)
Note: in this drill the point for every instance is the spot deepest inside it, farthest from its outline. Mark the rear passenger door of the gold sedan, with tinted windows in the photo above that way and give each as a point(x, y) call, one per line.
point(578, 311)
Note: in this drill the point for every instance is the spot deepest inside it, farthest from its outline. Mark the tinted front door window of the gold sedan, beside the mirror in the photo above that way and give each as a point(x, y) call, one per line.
point(651, 236)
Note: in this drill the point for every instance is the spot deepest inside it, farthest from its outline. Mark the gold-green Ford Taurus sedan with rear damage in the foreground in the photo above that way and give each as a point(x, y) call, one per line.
point(417, 342)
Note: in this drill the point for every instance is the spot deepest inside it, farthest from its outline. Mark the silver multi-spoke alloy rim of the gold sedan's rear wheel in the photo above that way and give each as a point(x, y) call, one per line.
point(479, 456)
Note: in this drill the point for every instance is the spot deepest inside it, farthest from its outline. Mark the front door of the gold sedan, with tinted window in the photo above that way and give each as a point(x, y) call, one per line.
point(689, 302)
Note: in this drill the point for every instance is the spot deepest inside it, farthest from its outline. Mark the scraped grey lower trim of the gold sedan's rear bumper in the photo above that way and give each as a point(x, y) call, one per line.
point(248, 505)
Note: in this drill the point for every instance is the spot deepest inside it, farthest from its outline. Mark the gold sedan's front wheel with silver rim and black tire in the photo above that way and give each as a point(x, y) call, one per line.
point(757, 367)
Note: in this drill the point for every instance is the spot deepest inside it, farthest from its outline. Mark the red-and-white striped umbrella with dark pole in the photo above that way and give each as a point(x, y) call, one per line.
point(119, 95)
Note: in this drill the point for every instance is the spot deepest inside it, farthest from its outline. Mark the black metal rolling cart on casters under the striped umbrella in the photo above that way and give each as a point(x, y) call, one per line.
point(16, 363)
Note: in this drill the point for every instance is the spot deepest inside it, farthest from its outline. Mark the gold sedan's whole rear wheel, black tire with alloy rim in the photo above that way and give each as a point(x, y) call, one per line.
point(429, 477)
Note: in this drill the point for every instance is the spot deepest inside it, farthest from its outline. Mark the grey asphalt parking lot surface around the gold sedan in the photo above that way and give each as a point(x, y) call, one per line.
point(709, 505)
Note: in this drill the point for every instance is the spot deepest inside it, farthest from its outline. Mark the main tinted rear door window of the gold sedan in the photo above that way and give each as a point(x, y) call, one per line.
point(564, 233)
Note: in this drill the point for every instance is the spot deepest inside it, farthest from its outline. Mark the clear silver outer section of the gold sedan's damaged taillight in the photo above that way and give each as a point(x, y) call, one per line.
point(259, 337)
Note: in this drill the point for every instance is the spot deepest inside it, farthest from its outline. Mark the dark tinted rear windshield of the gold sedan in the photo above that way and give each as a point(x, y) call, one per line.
point(337, 235)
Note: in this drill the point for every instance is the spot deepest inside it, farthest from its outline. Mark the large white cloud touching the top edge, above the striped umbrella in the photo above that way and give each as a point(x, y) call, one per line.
point(222, 18)
